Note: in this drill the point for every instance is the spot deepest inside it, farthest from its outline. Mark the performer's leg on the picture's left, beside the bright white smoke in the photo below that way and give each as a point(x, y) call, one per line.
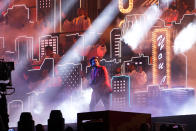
point(95, 97)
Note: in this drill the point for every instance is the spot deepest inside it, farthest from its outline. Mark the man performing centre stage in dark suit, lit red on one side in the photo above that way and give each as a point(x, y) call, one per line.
point(100, 84)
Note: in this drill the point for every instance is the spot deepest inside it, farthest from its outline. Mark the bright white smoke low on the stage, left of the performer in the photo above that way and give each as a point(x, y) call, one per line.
point(76, 102)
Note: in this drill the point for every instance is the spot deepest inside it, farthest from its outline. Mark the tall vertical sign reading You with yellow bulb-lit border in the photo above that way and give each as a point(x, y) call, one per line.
point(161, 56)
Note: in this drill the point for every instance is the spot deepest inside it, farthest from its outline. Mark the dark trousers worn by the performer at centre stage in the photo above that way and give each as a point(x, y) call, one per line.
point(96, 96)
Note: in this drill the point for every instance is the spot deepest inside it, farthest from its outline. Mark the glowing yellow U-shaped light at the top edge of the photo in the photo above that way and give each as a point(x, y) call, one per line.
point(121, 8)
